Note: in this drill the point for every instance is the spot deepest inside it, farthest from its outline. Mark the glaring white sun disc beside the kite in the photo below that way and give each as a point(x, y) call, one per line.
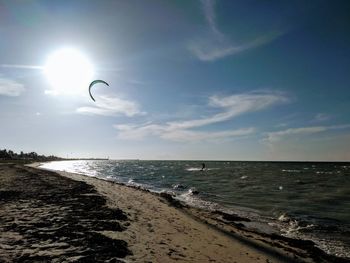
point(68, 71)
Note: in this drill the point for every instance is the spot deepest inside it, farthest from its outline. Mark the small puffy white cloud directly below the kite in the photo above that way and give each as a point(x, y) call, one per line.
point(112, 106)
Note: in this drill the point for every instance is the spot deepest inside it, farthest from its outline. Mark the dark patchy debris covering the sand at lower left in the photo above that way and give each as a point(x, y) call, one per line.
point(48, 218)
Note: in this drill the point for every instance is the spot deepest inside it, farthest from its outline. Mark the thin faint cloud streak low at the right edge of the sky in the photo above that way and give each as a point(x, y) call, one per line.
point(272, 137)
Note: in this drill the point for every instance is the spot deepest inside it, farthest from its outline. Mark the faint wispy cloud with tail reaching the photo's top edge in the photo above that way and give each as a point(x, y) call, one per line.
point(216, 45)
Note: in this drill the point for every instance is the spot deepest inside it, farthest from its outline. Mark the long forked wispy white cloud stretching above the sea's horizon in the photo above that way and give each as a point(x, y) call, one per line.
point(230, 106)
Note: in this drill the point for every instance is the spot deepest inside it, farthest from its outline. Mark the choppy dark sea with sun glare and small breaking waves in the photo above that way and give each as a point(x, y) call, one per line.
point(300, 200)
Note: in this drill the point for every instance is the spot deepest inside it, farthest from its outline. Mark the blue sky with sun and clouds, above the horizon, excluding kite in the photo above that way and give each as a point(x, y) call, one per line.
point(196, 79)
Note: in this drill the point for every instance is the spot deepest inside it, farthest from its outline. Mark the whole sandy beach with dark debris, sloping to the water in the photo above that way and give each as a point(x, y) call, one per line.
point(50, 216)
